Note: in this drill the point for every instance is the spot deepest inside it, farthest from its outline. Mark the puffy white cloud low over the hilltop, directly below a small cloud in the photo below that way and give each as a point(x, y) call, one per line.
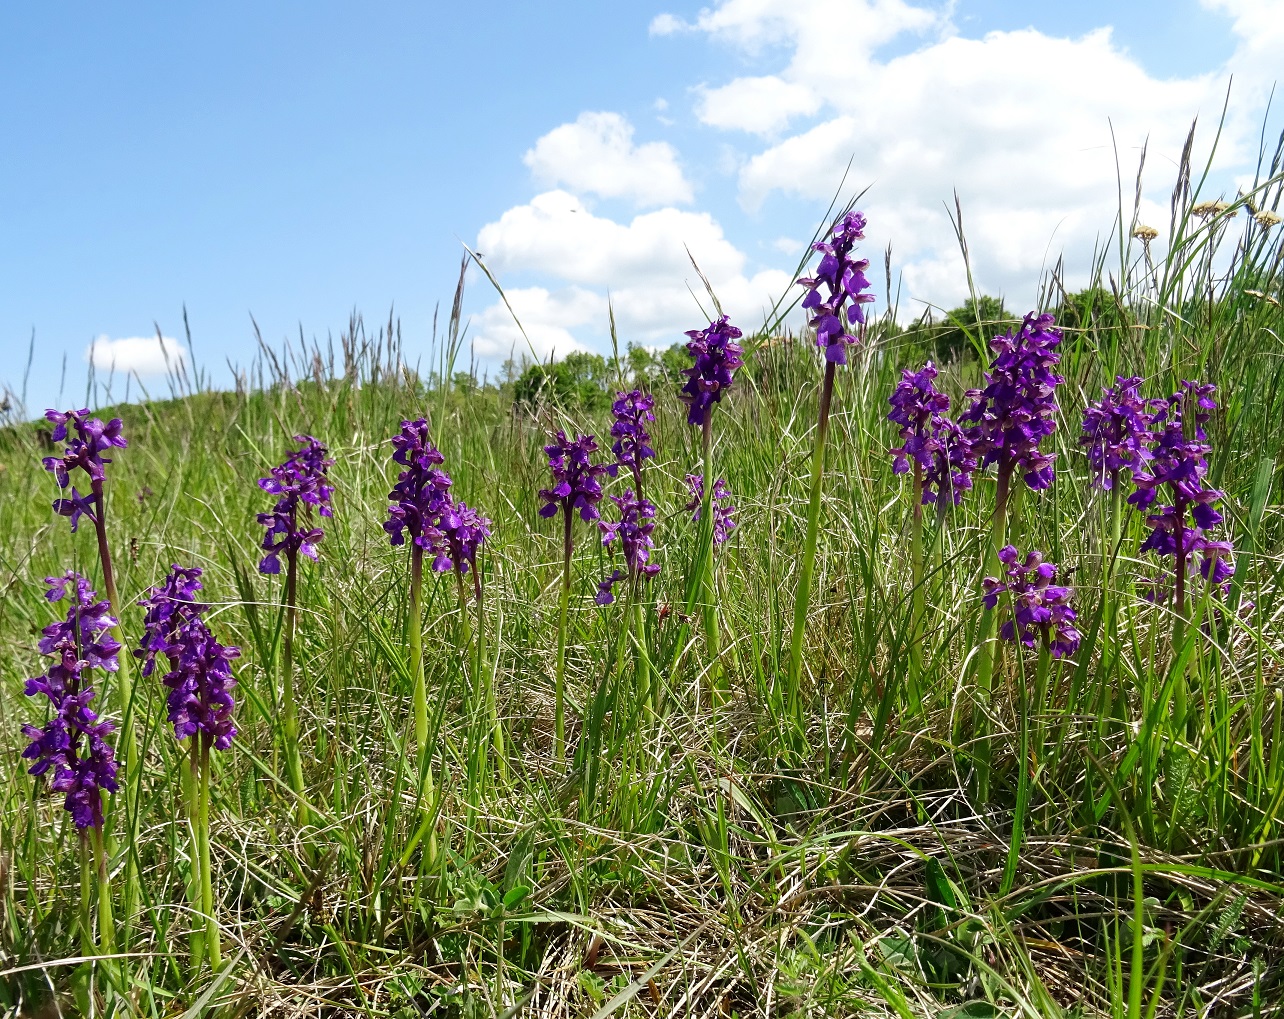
point(643, 268)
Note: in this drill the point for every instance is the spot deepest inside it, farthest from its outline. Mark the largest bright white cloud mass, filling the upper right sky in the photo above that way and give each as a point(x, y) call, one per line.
point(1019, 123)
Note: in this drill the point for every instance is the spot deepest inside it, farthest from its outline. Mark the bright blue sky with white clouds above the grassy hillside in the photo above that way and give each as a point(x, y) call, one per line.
point(299, 161)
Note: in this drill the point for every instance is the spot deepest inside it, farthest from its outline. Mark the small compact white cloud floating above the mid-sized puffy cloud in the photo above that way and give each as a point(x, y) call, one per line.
point(596, 156)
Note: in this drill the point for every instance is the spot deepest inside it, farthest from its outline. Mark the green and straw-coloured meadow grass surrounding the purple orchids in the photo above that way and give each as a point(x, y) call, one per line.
point(711, 861)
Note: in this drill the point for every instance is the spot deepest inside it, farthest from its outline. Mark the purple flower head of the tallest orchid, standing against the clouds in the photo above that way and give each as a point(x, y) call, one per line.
point(846, 282)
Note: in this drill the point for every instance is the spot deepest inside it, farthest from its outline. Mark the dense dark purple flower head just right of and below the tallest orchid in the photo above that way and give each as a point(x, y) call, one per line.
point(1018, 407)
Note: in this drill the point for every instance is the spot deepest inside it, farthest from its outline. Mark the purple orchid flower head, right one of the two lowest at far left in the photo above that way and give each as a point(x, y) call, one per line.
point(200, 673)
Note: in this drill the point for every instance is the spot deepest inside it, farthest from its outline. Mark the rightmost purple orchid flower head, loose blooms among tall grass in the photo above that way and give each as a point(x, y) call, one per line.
point(1178, 467)
